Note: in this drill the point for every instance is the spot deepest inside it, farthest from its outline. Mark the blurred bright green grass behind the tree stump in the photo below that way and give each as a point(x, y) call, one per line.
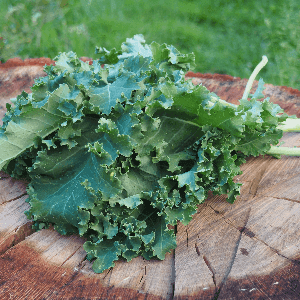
point(227, 37)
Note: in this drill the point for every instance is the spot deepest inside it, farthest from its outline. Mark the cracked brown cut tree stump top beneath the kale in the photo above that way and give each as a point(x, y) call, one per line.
point(246, 250)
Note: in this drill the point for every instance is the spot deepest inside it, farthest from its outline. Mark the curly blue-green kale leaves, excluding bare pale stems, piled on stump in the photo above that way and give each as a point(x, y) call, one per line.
point(117, 150)
